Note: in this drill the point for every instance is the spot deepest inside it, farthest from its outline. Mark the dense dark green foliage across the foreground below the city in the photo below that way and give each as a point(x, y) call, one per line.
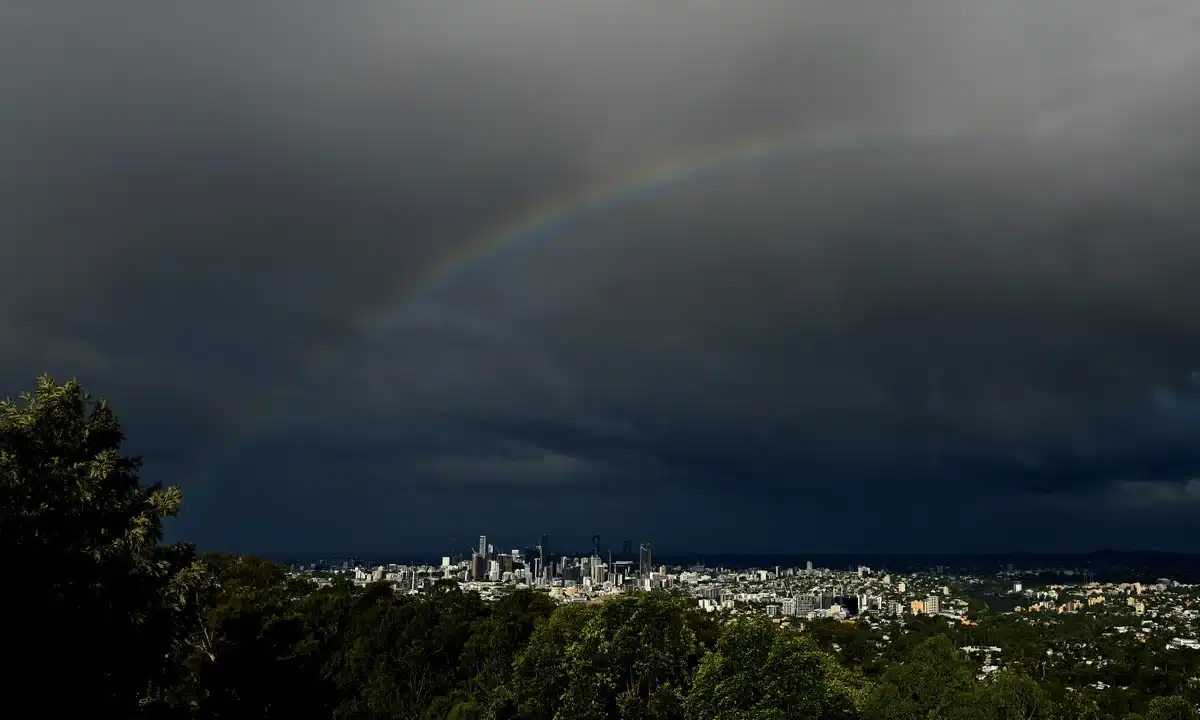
point(123, 626)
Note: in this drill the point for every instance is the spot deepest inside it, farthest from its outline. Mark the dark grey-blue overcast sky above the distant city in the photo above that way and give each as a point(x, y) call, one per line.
point(977, 331)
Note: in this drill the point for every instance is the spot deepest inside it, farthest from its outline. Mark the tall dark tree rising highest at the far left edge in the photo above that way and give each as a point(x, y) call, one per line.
point(85, 535)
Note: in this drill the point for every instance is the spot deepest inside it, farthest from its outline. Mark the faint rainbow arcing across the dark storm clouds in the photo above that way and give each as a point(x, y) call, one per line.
point(554, 213)
